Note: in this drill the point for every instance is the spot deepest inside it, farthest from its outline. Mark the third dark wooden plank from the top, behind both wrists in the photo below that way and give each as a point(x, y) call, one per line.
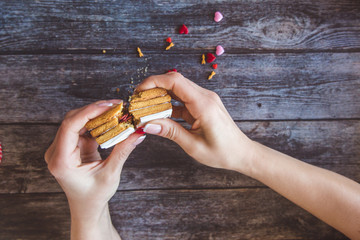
point(160, 164)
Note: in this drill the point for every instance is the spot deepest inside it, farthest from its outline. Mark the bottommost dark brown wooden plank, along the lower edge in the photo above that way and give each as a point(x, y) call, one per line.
point(195, 214)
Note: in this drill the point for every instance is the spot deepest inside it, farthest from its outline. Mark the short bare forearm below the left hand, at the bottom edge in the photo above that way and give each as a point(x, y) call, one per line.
point(92, 224)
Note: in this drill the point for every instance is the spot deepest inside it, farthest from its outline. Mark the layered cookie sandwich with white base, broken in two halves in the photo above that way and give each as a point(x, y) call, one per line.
point(116, 124)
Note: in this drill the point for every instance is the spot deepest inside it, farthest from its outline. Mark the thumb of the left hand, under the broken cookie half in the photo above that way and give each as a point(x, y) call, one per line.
point(122, 151)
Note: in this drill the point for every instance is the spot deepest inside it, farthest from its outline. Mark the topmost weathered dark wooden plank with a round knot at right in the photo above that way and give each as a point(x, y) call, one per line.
point(248, 25)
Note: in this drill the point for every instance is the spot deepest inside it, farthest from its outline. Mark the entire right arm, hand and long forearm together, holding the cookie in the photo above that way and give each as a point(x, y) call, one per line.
point(216, 141)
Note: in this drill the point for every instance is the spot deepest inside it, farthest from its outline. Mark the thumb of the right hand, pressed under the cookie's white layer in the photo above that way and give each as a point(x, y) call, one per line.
point(172, 130)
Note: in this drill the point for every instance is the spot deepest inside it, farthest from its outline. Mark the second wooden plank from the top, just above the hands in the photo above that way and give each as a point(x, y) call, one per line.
point(42, 88)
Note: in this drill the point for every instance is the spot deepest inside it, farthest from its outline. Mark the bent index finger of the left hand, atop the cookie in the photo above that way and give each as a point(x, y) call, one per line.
point(68, 134)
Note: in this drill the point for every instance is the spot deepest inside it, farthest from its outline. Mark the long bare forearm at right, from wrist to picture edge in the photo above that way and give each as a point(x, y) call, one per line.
point(329, 196)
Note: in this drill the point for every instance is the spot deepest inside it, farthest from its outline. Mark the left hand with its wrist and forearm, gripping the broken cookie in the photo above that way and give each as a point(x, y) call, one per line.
point(87, 181)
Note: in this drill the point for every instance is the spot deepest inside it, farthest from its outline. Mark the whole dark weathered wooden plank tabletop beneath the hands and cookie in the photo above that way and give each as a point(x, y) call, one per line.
point(290, 78)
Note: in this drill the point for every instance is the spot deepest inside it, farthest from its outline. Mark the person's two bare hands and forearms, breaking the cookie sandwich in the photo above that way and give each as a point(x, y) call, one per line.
point(213, 139)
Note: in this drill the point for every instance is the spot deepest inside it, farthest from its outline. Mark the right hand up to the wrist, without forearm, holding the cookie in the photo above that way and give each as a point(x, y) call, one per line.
point(214, 139)
